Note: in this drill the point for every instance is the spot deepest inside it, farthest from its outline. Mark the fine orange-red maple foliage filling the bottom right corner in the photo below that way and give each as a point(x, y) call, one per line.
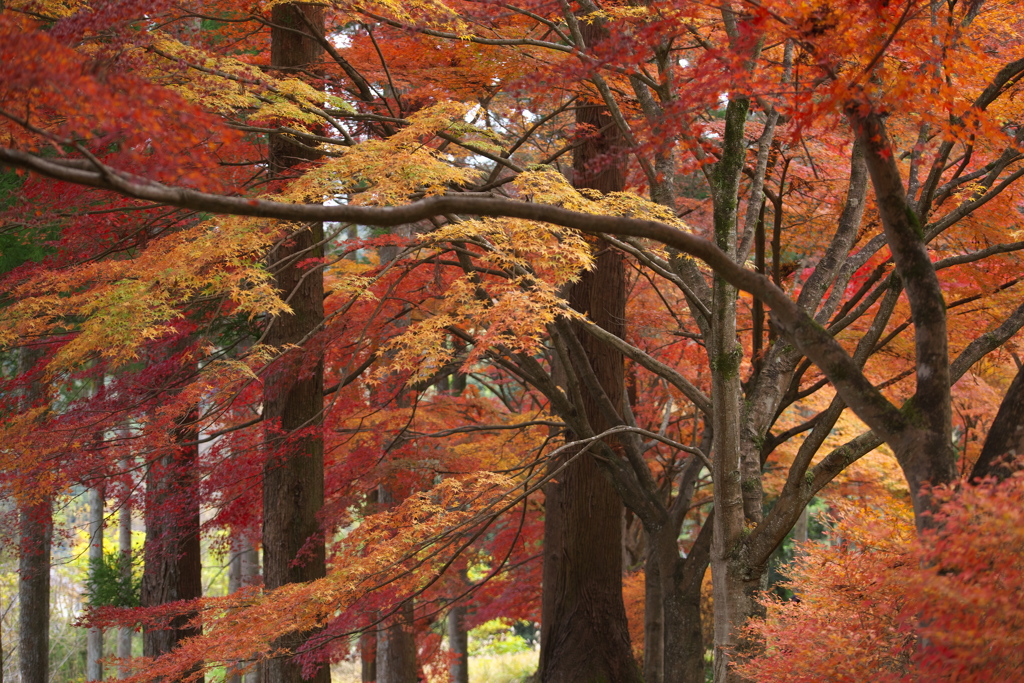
point(878, 603)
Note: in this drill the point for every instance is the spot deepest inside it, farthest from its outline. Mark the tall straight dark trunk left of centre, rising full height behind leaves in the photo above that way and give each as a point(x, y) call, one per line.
point(293, 478)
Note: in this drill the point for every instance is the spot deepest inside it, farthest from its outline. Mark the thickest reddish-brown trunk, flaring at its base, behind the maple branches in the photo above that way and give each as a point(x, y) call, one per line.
point(585, 638)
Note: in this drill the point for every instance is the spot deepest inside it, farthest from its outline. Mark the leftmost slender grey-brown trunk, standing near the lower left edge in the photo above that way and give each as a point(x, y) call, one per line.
point(34, 592)
